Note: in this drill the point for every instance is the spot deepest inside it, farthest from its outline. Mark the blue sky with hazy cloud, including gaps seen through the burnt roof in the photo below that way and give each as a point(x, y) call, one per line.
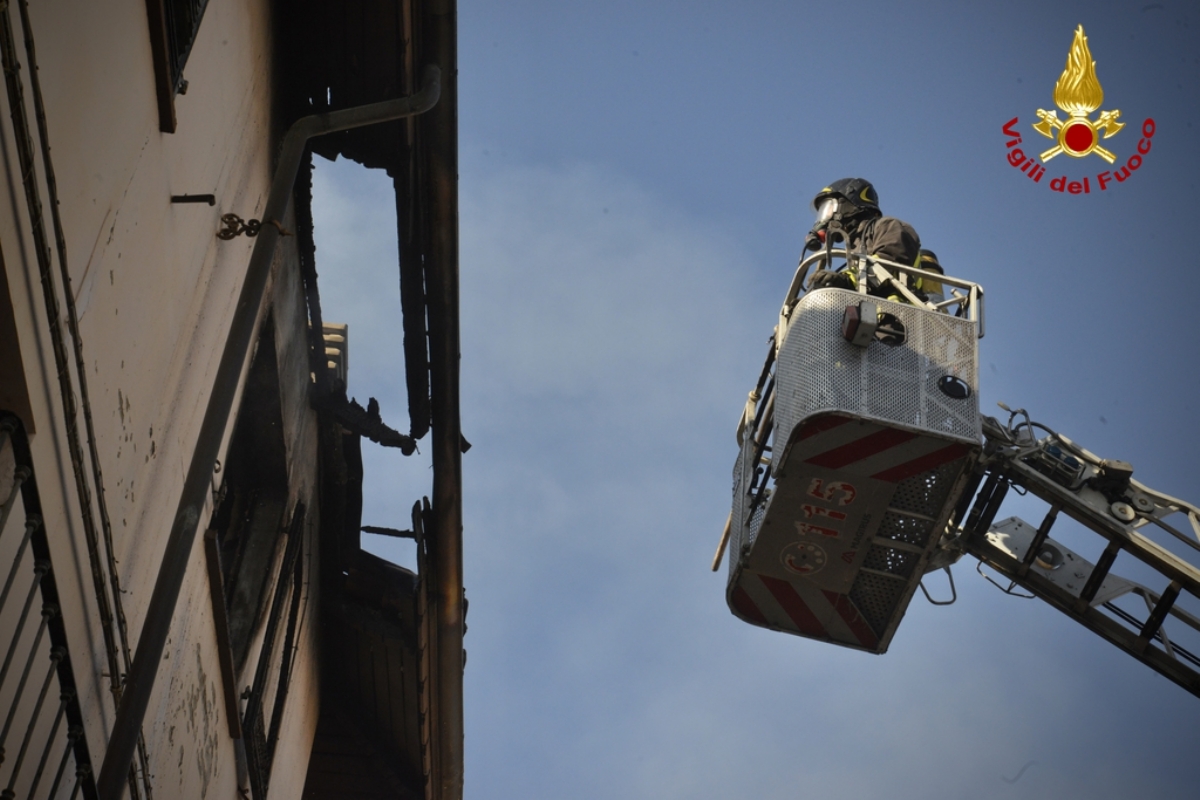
point(635, 188)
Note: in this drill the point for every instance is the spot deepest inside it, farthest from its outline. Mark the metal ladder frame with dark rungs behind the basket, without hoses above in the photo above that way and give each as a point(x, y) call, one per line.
point(1144, 640)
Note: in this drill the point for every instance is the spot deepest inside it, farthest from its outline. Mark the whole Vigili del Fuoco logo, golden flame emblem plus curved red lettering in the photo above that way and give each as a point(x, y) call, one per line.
point(1078, 94)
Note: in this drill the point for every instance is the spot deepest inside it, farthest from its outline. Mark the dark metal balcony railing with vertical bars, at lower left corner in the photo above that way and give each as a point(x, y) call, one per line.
point(44, 751)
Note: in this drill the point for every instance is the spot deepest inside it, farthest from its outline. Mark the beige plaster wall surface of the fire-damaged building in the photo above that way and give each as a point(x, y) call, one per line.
point(155, 291)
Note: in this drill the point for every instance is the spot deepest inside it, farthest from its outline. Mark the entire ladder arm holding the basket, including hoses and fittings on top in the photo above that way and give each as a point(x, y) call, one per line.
point(1118, 514)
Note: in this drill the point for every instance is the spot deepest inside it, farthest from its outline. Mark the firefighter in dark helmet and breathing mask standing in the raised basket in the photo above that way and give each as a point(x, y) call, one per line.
point(850, 209)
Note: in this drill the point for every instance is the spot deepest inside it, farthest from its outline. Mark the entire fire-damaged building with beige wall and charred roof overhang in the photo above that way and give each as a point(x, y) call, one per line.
point(187, 607)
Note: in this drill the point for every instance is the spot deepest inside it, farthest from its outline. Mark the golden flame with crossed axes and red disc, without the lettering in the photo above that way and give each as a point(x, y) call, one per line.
point(1078, 93)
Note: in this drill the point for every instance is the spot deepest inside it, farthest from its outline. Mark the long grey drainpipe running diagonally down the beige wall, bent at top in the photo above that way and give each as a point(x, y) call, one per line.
point(140, 682)
